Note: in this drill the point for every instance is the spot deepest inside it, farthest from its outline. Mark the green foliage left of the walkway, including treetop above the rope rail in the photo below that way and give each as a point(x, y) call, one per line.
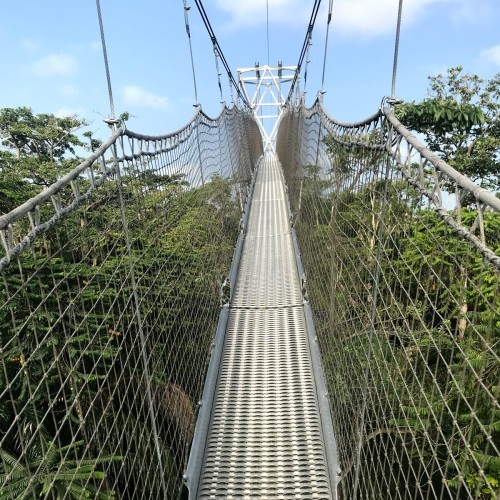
point(72, 382)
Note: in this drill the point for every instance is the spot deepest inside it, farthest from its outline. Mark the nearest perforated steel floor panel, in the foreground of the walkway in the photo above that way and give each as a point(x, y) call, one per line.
point(265, 438)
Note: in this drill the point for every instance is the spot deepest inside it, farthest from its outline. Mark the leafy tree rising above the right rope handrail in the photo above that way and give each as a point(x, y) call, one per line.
point(460, 121)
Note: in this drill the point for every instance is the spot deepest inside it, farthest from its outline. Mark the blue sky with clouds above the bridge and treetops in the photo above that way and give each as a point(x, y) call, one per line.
point(51, 56)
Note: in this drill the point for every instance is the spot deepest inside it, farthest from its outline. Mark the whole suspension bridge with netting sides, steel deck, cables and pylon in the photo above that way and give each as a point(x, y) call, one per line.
point(268, 304)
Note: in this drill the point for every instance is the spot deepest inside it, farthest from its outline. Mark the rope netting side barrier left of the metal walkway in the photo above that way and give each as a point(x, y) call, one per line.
point(109, 300)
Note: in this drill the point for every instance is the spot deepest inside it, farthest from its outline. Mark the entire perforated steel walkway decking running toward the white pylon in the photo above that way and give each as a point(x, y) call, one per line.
point(265, 437)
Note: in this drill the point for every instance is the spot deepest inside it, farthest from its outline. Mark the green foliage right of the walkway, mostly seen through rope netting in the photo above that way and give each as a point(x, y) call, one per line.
point(433, 339)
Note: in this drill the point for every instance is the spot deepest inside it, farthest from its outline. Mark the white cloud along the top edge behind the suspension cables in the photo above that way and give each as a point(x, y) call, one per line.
point(350, 17)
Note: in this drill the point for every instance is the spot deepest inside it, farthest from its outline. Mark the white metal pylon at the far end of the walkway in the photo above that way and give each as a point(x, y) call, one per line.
point(267, 98)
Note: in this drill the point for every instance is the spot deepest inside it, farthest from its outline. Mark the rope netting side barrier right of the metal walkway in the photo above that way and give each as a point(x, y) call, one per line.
point(401, 255)
